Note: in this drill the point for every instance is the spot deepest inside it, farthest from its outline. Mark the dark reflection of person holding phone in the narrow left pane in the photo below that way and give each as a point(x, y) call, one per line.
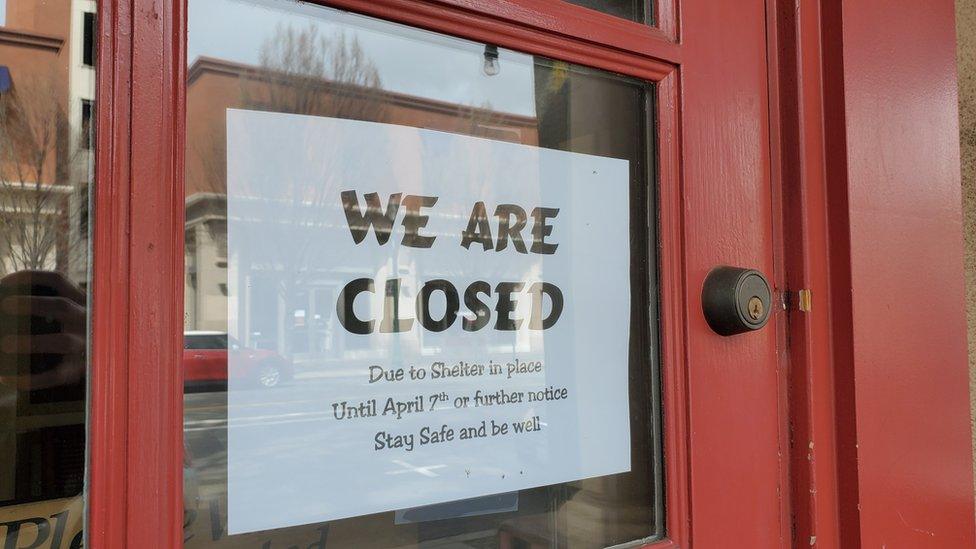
point(43, 335)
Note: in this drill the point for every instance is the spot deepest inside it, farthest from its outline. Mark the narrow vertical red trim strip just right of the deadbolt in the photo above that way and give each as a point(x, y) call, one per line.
point(804, 251)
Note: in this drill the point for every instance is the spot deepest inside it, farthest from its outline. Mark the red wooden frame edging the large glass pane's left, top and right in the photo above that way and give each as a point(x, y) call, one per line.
point(135, 448)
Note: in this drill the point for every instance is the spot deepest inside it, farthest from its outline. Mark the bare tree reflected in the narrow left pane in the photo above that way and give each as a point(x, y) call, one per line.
point(34, 163)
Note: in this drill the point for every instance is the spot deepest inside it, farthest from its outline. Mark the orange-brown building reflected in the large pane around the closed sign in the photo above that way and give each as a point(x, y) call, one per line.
point(213, 87)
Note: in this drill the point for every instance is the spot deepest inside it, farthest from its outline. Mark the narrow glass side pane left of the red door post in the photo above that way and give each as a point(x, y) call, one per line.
point(46, 162)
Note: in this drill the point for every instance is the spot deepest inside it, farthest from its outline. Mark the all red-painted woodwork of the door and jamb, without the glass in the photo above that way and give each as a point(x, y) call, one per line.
point(136, 403)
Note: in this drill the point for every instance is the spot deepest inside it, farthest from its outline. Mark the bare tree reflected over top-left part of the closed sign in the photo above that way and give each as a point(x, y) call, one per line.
point(306, 73)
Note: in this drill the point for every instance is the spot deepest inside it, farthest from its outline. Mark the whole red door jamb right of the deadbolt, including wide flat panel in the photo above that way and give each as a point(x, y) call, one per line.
point(866, 122)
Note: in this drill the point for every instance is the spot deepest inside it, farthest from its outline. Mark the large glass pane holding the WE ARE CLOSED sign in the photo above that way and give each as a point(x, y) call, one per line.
point(300, 68)
